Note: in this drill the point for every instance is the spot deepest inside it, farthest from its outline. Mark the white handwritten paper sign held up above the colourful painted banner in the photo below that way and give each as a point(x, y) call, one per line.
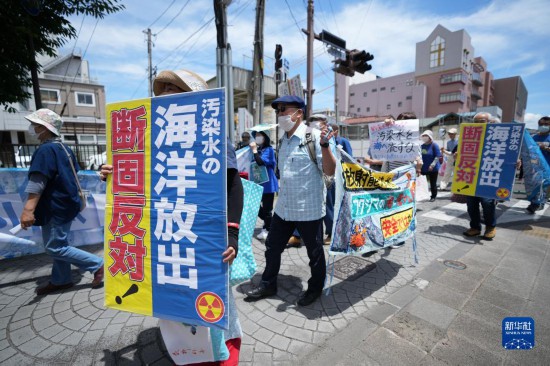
point(396, 141)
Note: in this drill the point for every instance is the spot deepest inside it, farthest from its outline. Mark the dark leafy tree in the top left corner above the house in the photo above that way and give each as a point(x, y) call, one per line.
point(31, 27)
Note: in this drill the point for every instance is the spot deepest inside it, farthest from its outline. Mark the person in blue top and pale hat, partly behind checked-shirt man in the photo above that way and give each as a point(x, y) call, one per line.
point(264, 156)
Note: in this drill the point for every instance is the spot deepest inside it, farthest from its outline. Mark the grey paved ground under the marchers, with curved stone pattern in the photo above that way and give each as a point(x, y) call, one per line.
point(383, 309)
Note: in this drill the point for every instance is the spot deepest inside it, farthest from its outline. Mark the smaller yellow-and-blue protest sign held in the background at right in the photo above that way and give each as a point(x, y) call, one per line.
point(486, 159)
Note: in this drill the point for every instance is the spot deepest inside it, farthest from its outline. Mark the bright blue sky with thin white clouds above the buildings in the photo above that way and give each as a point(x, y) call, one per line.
point(510, 35)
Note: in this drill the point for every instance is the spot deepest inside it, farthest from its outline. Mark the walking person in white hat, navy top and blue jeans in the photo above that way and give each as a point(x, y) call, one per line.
point(54, 201)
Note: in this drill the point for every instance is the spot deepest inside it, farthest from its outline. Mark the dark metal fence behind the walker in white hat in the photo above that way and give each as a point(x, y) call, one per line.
point(19, 156)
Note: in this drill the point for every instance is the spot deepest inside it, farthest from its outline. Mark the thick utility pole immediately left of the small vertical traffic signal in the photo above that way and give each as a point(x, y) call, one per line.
point(258, 65)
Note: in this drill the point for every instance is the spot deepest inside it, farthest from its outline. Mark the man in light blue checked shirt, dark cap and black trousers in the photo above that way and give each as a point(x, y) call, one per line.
point(301, 202)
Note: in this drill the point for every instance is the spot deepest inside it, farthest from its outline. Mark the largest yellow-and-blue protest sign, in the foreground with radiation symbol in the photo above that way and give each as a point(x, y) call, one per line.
point(165, 212)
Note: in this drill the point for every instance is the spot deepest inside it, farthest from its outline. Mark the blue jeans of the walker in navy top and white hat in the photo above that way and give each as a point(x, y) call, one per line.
point(57, 246)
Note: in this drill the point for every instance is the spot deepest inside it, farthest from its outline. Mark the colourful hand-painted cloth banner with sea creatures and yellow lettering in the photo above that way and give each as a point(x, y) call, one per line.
point(373, 210)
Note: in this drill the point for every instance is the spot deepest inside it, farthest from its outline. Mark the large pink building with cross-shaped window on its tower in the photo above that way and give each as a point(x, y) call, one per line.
point(448, 78)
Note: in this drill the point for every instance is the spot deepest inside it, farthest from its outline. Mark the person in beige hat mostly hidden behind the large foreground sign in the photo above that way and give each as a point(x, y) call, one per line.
point(180, 81)
